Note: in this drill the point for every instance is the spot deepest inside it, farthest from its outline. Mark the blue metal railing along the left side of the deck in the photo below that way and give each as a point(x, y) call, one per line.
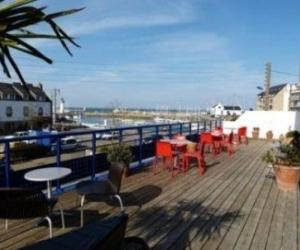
point(140, 138)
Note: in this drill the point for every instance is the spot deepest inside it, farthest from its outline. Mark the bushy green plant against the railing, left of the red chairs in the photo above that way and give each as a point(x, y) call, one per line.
point(119, 152)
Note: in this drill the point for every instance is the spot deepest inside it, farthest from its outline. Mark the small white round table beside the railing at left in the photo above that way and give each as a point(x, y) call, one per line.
point(48, 175)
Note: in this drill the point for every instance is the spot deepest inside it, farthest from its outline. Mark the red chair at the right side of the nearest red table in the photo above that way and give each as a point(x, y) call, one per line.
point(198, 155)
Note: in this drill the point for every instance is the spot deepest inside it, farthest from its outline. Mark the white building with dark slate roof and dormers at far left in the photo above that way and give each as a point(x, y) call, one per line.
point(20, 112)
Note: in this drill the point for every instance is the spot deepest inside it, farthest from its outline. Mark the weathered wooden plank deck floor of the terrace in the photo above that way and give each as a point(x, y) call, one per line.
point(233, 206)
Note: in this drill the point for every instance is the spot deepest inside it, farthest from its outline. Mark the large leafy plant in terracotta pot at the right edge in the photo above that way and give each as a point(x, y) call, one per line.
point(285, 159)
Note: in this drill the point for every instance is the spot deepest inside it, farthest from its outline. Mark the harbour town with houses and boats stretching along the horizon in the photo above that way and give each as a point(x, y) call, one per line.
point(18, 112)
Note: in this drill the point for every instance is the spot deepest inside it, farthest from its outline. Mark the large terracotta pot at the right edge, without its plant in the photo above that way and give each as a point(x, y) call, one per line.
point(287, 177)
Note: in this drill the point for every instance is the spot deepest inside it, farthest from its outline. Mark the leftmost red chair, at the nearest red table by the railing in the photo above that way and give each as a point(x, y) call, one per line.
point(164, 152)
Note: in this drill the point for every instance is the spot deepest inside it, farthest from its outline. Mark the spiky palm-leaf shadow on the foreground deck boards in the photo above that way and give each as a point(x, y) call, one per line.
point(182, 220)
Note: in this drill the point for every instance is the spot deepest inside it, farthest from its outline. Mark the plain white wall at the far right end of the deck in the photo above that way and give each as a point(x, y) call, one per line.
point(280, 122)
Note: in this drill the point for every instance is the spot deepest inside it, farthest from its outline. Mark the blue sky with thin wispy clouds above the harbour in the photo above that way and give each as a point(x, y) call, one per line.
point(188, 53)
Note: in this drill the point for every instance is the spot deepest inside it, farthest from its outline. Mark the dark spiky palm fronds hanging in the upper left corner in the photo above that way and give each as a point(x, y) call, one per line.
point(17, 18)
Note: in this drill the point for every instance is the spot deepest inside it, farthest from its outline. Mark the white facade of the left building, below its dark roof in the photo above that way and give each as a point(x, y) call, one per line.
point(18, 106)
